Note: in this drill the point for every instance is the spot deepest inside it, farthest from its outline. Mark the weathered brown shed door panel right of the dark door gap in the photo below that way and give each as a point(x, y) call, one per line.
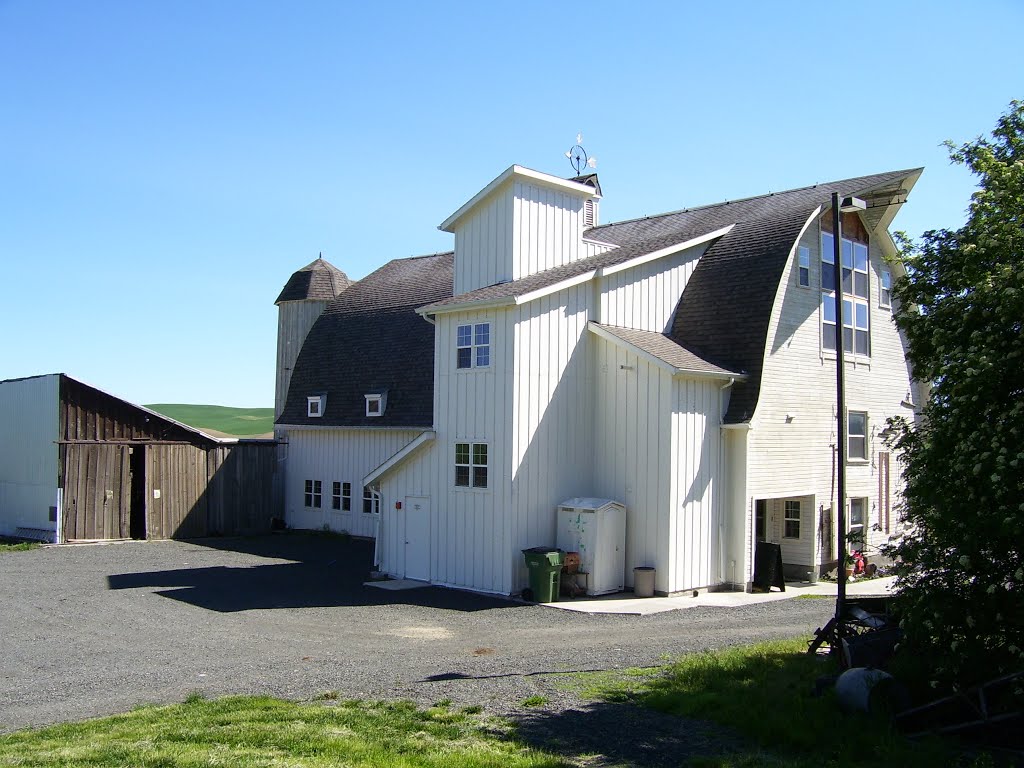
point(177, 479)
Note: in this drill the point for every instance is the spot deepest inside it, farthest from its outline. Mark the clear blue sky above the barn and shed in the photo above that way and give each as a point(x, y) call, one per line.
point(166, 166)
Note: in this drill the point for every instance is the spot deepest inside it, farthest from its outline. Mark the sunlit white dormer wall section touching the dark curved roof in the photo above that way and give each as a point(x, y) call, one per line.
point(646, 297)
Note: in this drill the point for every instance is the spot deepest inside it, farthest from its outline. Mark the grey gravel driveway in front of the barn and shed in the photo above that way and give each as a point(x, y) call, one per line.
point(96, 630)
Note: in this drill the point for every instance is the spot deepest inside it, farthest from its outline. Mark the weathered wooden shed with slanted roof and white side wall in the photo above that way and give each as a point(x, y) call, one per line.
point(98, 467)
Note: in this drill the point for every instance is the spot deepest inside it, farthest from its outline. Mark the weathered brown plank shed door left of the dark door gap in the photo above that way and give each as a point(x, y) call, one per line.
point(97, 492)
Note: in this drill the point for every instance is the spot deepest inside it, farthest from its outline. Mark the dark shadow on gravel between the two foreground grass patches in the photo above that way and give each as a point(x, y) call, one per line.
point(624, 736)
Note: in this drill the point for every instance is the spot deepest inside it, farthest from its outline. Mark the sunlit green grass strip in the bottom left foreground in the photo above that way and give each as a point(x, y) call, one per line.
point(261, 733)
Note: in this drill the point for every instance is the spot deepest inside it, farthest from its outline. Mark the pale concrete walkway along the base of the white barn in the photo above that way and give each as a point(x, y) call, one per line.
point(626, 604)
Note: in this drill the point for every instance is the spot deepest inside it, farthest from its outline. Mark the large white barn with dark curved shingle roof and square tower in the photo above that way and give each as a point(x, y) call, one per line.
point(682, 365)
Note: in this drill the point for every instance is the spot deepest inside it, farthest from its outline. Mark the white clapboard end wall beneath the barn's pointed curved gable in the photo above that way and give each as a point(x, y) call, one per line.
point(793, 441)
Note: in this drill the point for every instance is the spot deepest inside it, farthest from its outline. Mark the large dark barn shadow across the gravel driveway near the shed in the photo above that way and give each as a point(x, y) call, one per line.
point(321, 572)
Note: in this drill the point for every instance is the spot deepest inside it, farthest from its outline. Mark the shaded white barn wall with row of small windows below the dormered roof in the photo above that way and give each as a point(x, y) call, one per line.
point(336, 455)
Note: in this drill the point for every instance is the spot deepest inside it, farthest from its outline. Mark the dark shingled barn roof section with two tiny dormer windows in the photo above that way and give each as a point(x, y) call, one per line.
point(370, 339)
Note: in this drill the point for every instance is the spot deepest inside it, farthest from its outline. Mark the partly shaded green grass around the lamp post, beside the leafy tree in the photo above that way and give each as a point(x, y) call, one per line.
point(764, 693)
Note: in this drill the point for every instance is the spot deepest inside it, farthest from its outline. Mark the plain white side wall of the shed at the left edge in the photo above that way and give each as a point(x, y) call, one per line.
point(29, 432)
